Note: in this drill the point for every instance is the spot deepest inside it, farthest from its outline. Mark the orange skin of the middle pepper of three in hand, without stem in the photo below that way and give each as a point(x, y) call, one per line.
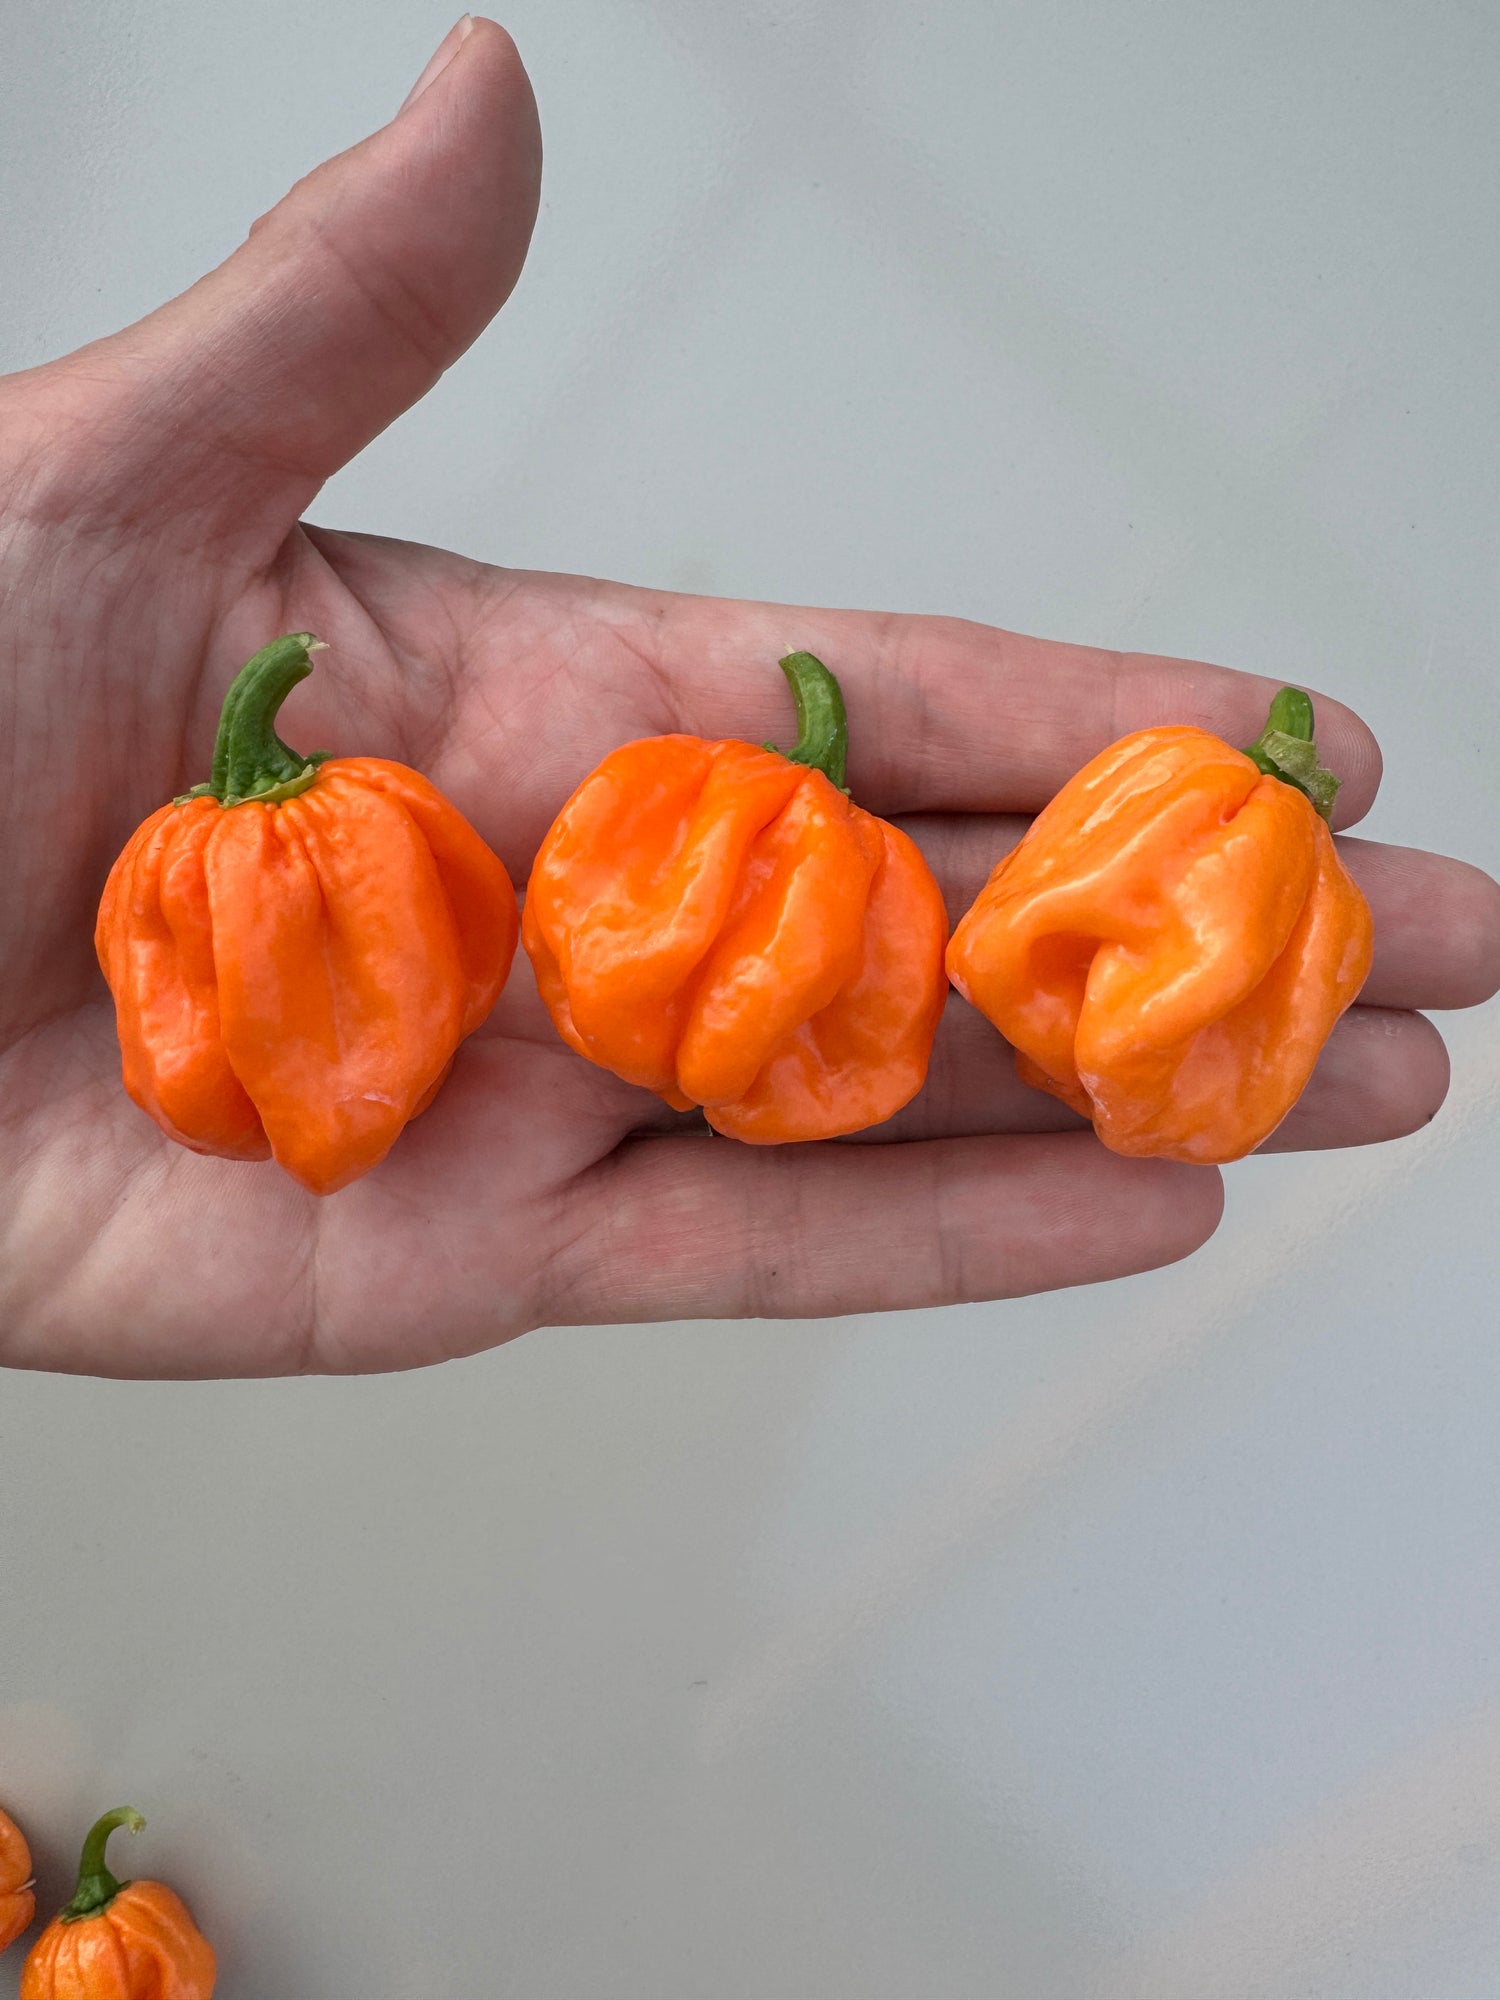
point(727, 929)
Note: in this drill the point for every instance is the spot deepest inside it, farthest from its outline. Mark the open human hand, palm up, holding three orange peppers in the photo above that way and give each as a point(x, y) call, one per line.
point(151, 499)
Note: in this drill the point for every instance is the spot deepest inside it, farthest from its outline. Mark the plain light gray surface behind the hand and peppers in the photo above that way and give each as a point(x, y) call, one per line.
point(1133, 1645)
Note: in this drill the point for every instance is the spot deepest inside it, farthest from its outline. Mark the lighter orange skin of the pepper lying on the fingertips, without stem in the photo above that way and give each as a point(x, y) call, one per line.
point(1169, 947)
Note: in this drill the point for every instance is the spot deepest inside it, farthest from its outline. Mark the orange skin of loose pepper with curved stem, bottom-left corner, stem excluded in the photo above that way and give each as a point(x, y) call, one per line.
point(141, 1947)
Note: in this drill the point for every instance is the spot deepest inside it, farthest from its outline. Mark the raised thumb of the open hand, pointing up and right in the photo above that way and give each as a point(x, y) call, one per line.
point(347, 303)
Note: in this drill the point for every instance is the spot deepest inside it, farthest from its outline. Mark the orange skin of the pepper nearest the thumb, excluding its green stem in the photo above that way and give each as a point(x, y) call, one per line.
point(293, 979)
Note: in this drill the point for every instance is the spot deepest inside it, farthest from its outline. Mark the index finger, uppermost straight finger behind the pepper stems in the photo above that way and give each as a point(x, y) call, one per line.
point(959, 717)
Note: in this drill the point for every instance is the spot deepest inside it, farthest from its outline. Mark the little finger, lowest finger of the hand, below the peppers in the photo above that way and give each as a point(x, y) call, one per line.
point(717, 1231)
